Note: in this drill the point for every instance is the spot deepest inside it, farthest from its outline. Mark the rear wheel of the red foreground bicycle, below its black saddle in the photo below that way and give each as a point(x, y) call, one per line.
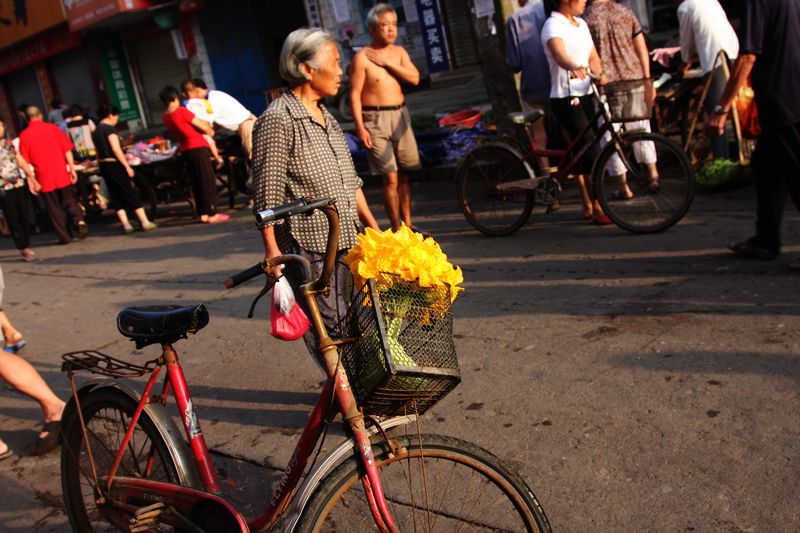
point(108, 415)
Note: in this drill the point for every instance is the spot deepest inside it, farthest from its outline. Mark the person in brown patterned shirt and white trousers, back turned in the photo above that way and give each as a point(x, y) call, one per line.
point(619, 39)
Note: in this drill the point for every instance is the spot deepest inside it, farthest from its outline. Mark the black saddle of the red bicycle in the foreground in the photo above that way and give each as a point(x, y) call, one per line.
point(161, 324)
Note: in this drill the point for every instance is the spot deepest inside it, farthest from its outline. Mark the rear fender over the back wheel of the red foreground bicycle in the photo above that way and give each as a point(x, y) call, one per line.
point(166, 427)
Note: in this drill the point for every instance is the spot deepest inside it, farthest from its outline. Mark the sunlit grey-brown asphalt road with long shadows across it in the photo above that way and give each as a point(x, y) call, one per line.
point(638, 383)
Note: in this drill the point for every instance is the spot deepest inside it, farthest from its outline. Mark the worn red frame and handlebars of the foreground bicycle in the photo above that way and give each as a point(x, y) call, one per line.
point(178, 501)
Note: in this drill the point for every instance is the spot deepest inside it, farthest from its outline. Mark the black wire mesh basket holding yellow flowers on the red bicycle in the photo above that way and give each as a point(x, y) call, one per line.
point(402, 358)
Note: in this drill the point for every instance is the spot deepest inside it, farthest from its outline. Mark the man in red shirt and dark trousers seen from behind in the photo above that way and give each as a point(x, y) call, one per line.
point(49, 151)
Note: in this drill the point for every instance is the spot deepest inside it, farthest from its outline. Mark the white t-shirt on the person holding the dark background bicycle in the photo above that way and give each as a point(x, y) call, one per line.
point(578, 45)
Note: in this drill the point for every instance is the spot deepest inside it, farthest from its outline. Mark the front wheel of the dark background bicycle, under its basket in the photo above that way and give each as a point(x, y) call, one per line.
point(657, 202)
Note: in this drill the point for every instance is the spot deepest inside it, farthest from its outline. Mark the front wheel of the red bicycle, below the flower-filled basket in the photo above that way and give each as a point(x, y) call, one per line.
point(437, 484)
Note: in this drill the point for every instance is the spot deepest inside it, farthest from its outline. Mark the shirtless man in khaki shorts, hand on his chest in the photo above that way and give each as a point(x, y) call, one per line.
point(382, 120)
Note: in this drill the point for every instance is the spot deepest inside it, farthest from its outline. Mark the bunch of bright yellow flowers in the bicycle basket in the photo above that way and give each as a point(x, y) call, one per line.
point(404, 254)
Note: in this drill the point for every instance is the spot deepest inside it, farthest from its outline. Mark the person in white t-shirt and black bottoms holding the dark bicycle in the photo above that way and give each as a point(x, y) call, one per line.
point(570, 53)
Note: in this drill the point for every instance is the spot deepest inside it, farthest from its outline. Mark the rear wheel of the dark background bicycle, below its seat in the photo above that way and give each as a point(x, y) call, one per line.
point(488, 208)
